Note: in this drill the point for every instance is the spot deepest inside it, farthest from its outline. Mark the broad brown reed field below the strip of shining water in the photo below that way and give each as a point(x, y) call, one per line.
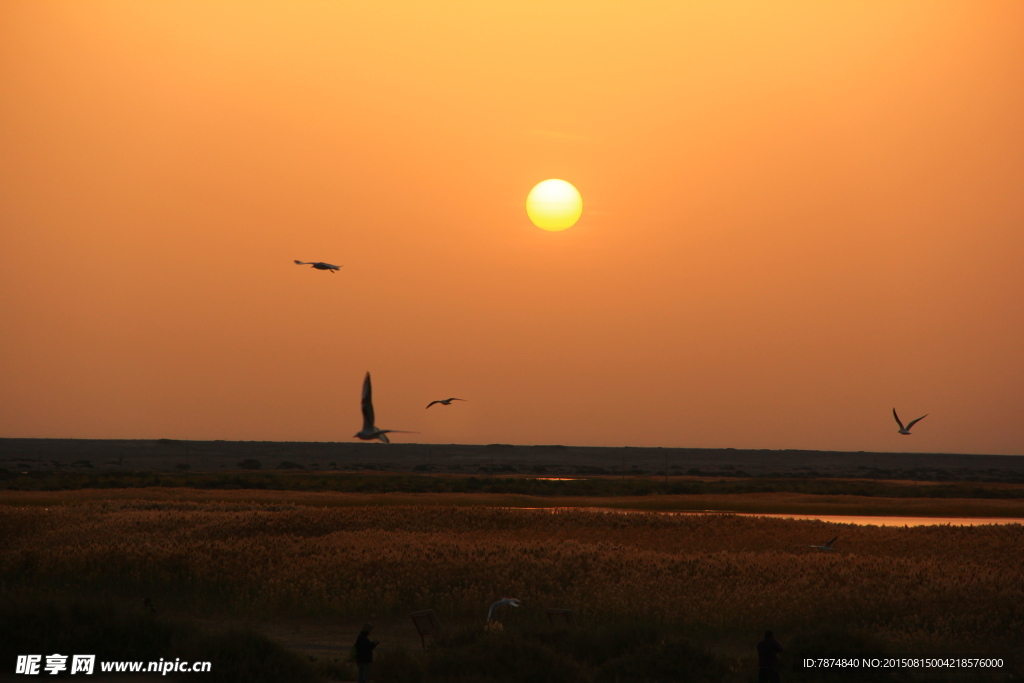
point(717, 580)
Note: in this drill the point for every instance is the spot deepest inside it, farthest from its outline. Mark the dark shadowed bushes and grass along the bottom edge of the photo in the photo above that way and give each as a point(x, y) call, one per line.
point(524, 651)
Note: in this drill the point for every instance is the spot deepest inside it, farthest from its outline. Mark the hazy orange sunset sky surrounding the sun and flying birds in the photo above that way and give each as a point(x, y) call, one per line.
point(797, 216)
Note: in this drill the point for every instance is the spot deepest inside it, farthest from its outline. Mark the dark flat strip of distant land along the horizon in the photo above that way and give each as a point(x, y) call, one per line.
point(496, 459)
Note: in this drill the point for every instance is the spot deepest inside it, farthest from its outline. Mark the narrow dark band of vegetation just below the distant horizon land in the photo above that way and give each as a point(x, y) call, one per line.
point(411, 484)
